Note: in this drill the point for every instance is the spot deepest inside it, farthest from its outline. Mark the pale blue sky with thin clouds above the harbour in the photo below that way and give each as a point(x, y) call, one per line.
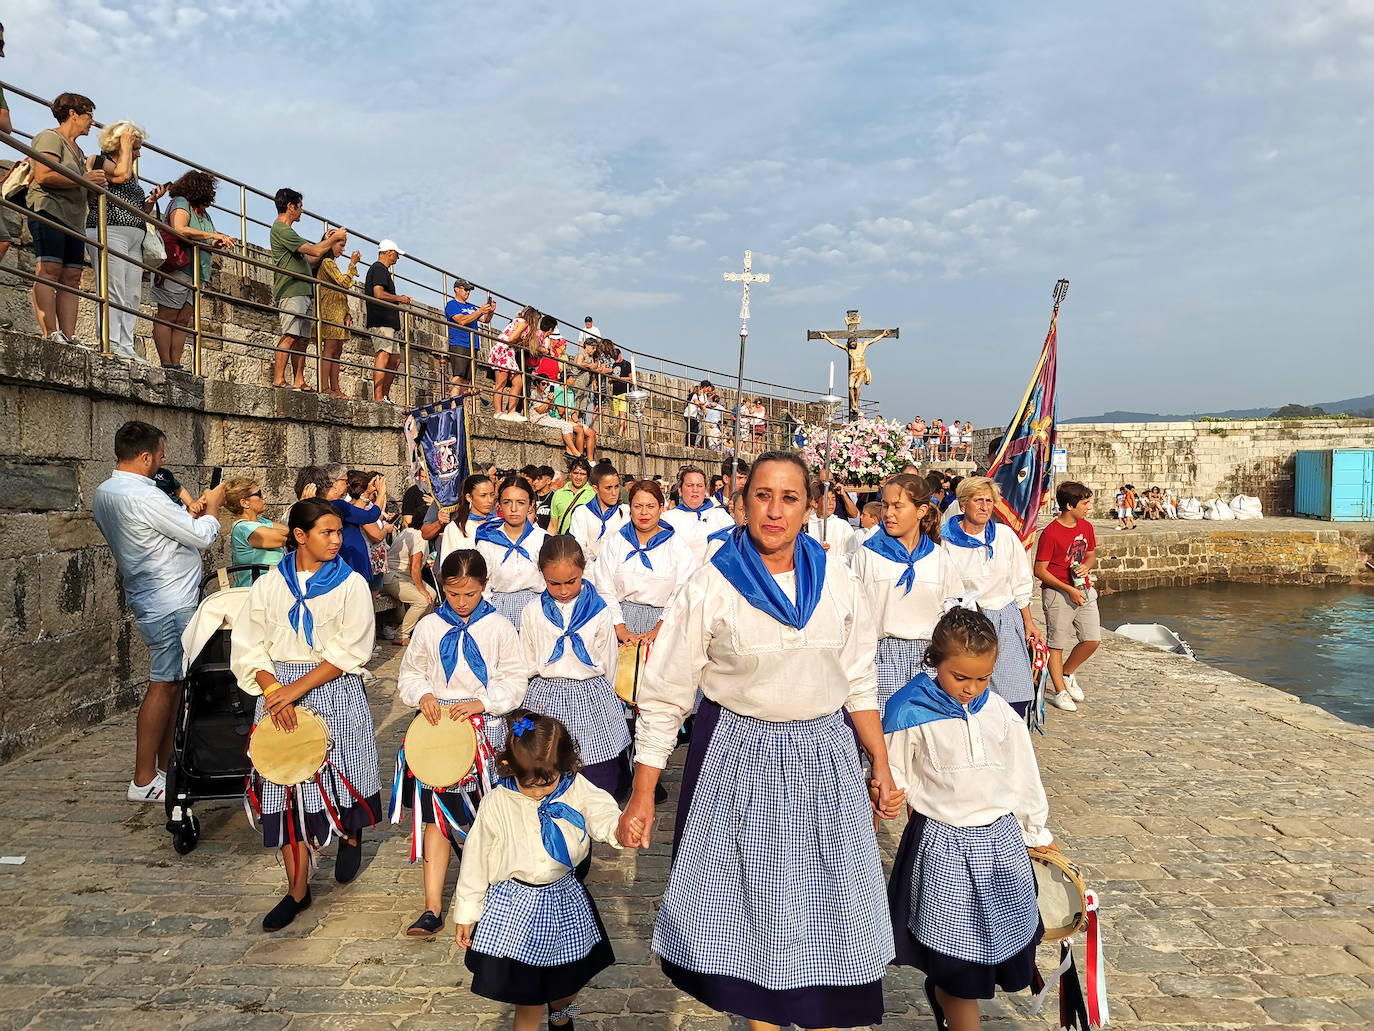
point(1202, 173)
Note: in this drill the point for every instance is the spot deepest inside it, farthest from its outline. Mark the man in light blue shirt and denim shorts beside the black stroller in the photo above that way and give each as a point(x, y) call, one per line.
point(157, 546)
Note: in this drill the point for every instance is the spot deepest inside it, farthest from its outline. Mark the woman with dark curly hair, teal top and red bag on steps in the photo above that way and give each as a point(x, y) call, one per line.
point(189, 214)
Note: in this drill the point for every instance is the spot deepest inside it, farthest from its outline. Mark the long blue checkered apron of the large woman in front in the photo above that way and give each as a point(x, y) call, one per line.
point(777, 879)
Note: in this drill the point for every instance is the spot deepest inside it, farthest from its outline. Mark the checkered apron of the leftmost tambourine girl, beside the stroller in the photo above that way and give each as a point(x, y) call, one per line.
point(343, 706)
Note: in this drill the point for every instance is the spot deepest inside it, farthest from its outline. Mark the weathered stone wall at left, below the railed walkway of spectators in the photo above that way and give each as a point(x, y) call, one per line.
point(71, 652)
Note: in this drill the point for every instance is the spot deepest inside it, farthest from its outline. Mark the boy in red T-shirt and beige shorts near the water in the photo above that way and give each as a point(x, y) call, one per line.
point(1064, 557)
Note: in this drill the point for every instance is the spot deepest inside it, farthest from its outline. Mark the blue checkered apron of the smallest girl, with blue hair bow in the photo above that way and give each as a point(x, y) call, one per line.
point(542, 926)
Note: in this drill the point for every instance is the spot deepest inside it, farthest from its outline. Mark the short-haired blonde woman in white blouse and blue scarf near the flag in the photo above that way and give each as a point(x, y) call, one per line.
point(993, 564)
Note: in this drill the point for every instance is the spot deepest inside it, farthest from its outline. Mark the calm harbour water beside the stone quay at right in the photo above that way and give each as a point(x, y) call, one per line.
point(1316, 643)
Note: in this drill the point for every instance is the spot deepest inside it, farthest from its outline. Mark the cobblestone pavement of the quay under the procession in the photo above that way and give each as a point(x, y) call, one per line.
point(1226, 825)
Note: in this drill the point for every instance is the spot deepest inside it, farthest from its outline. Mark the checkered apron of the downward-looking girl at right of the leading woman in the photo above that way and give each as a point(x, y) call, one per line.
point(973, 891)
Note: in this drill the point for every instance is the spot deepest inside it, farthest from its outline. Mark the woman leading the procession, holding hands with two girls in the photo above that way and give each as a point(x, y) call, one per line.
point(774, 908)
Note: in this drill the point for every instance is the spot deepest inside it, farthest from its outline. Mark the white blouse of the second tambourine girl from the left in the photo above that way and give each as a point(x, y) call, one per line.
point(508, 674)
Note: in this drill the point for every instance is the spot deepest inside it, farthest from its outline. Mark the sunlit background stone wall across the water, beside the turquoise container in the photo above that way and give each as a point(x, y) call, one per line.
point(1202, 460)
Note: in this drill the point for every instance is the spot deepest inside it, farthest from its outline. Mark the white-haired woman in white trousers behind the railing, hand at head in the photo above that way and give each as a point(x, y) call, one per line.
point(120, 145)
